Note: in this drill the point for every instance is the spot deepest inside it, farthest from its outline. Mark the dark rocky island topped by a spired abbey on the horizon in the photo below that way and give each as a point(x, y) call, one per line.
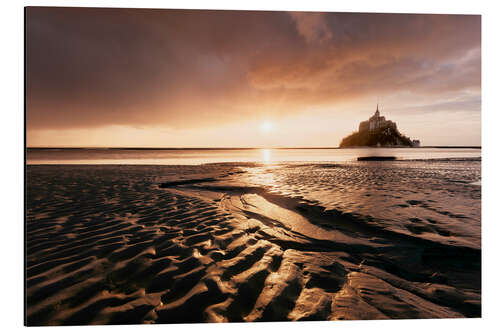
point(378, 132)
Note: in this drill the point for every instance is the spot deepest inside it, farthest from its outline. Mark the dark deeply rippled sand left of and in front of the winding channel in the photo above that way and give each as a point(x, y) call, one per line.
point(107, 245)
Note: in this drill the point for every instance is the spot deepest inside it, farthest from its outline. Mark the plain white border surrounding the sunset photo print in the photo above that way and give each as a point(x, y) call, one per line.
point(12, 163)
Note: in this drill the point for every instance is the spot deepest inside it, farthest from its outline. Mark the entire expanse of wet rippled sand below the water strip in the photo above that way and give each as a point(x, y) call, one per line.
point(216, 243)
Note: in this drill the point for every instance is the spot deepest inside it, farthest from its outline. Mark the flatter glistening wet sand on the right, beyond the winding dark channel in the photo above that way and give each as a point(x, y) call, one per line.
point(431, 199)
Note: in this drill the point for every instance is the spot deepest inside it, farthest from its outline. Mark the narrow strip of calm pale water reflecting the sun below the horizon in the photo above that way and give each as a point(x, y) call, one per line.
point(201, 156)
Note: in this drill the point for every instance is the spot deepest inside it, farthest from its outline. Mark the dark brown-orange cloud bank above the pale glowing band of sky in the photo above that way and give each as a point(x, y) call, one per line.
point(173, 68)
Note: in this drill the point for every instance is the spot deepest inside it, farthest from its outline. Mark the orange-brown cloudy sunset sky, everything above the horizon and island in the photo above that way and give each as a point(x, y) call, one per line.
point(100, 77)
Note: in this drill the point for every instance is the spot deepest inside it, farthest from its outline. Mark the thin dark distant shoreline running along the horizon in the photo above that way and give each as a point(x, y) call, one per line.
point(234, 148)
